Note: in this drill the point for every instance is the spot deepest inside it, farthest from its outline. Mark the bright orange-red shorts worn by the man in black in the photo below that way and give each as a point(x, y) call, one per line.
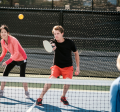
point(66, 72)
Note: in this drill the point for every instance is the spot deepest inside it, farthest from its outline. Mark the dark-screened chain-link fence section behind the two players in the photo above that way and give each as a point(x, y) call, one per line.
point(96, 35)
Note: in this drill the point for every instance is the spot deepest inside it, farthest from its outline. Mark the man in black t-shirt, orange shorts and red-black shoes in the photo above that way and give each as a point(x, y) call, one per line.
point(62, 64)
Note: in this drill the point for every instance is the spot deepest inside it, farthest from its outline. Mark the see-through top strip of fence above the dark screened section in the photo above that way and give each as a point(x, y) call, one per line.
point(96, 5)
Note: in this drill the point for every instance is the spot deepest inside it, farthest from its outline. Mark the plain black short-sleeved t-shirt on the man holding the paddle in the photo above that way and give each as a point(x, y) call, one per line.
point(63, 53)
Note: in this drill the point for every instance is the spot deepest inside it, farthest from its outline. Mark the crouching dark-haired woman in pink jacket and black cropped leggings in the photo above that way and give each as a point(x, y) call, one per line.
point(18, 57)
